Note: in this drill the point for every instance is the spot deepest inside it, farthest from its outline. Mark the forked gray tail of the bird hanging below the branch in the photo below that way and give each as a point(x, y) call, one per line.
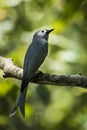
point(20, 102)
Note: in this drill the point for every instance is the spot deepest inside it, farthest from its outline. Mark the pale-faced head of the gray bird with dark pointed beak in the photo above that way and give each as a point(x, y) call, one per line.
point(43, 33)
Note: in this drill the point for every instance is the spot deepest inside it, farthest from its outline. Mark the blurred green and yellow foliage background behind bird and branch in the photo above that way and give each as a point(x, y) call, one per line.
point(47, 107)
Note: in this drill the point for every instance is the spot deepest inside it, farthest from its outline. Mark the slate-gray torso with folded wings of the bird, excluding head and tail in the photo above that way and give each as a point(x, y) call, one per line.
point(34, 57)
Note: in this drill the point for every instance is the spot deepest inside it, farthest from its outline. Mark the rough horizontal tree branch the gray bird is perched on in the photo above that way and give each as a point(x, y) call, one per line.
point(10, 70)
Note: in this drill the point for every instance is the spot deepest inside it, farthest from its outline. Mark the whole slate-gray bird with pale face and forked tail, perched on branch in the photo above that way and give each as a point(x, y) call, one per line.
point(34, 57)
